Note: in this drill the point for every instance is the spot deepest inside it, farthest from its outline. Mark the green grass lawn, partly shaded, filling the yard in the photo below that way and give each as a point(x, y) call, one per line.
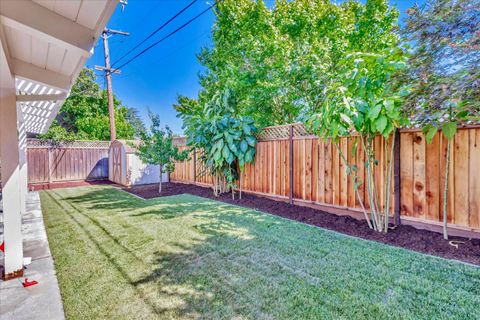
point(120, 257)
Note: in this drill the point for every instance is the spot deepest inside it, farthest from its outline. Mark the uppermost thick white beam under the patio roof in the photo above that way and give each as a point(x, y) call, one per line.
point(38, 21)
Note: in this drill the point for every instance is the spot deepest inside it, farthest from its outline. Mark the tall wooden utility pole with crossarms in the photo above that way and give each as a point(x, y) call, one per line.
point(108, 74)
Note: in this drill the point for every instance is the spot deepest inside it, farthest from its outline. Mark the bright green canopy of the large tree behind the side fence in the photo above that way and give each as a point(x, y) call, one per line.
point(278, 61)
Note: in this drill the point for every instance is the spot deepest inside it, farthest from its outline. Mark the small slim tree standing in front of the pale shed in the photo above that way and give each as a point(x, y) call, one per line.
point(156, 148)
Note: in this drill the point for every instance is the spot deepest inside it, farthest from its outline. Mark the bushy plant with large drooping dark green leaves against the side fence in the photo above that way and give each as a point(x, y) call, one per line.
point(227, 142)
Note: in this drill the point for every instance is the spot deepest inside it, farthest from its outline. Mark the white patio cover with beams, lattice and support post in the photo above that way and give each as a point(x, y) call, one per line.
point(43, 46)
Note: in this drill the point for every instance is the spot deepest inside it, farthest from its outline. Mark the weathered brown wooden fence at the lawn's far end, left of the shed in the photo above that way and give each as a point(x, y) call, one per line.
point(71, 161)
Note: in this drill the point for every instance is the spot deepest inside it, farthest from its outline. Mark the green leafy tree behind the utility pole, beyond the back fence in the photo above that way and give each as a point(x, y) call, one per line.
point(84, 115)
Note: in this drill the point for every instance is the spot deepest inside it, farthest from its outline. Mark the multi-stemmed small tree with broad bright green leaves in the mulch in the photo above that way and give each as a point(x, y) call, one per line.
point(361, 99)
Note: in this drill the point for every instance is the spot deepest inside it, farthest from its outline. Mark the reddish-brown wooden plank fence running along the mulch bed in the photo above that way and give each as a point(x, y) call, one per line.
point(292, 165)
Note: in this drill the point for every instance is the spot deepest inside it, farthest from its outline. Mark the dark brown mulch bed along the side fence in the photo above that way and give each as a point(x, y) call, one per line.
point(404, 236)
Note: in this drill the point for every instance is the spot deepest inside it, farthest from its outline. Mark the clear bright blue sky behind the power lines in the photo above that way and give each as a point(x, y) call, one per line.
point(154, 80)
